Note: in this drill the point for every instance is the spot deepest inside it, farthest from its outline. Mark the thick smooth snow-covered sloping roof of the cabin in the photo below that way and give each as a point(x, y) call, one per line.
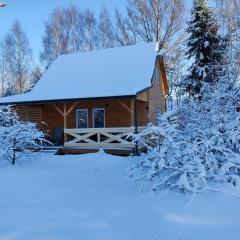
point(103, 73)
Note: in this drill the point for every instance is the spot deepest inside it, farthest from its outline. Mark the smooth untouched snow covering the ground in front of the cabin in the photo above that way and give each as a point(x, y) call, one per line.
point(88, 197)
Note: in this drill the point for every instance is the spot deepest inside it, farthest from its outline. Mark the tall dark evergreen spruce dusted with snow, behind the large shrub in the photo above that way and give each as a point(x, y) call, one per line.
point(204, 48)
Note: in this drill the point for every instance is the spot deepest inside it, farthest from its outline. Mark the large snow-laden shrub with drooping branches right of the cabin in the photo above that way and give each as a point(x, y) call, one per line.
point(195, 147)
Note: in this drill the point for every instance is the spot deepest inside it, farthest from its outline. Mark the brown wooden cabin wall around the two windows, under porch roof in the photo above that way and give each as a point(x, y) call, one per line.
point(118, 113)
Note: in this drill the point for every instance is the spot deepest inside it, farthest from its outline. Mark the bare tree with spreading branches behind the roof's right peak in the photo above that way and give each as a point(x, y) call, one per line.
point(157, 20)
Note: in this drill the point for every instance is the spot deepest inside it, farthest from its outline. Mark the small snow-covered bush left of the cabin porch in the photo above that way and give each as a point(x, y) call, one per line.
point(17, 138)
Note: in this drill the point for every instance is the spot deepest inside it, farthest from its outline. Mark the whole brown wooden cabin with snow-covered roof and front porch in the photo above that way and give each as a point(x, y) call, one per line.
point(95, 99)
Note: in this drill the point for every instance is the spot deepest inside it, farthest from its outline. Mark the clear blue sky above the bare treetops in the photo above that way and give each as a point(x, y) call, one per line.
point(33, 13)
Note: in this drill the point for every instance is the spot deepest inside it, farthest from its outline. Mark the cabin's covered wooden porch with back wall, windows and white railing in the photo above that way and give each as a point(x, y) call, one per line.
point(86, 126)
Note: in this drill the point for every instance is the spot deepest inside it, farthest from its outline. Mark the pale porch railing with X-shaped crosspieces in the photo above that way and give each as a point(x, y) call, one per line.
point(106, 138)
